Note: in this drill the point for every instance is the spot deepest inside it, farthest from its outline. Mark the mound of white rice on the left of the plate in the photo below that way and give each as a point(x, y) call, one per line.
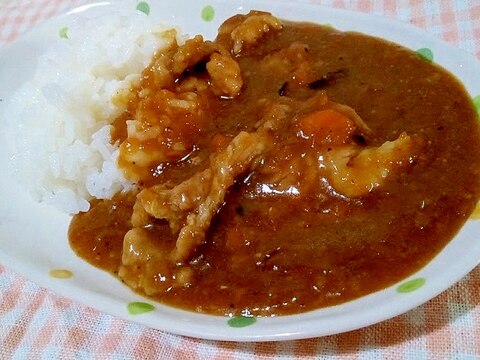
point(59, 120)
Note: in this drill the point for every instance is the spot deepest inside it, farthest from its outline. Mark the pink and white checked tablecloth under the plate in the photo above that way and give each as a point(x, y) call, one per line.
point(36, 323)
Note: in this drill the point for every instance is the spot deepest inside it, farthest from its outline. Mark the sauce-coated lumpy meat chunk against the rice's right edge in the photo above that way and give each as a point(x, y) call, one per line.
point(154, 137)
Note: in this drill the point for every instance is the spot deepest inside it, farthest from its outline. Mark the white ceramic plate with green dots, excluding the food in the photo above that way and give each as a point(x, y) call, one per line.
point(33, 236)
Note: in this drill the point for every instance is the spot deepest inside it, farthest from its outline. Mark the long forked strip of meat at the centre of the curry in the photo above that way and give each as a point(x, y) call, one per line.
point(191, 205)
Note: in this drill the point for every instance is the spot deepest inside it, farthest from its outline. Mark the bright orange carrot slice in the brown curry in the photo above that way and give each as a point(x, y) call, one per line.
point(327, 127)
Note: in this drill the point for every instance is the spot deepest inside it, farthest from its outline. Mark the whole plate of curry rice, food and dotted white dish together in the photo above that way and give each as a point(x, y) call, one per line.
point(245, 171)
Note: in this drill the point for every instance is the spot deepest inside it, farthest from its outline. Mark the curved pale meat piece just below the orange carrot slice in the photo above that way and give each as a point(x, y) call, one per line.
point(355, 171)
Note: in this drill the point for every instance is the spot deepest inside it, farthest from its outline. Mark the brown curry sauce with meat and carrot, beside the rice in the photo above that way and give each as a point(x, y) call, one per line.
point(281, 168)
